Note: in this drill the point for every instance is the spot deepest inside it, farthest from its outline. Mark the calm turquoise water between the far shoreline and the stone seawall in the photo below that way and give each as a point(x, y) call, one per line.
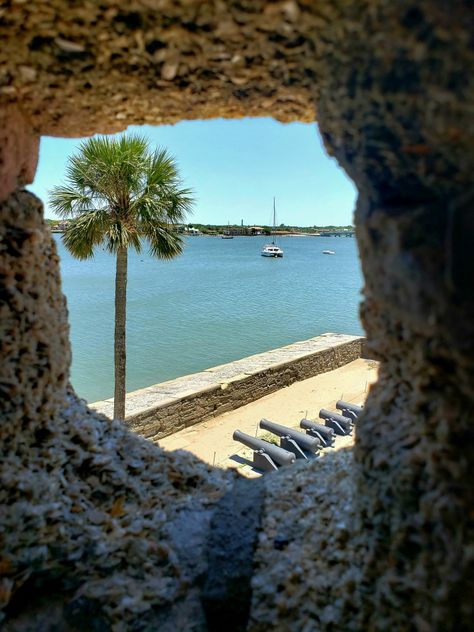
point(218, 302)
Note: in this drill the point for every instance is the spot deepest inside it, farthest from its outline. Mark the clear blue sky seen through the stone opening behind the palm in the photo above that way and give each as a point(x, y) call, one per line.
point(235, 168)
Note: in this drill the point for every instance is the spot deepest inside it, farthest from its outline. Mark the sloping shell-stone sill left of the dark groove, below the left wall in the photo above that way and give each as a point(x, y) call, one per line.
point(91, 502)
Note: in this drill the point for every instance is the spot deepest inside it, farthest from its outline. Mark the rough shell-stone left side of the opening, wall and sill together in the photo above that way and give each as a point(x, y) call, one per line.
point(82, 499)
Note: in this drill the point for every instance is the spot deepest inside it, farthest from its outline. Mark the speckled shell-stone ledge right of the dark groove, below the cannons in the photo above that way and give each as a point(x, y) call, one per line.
point(306, 555)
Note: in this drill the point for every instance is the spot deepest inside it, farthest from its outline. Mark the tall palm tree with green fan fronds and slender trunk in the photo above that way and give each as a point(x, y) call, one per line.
point(118, 193)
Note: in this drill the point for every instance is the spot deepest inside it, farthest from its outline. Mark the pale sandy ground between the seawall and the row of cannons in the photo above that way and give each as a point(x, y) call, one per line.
point(212, 440)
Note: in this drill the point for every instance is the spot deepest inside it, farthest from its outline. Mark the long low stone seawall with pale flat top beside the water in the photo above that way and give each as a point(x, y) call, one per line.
point(159, 410)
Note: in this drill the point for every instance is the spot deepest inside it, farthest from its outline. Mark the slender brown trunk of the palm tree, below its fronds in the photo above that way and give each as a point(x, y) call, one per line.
point(120, 322)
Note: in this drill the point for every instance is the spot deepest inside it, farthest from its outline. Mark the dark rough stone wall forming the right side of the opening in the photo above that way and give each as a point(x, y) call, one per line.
point(397, 117)
